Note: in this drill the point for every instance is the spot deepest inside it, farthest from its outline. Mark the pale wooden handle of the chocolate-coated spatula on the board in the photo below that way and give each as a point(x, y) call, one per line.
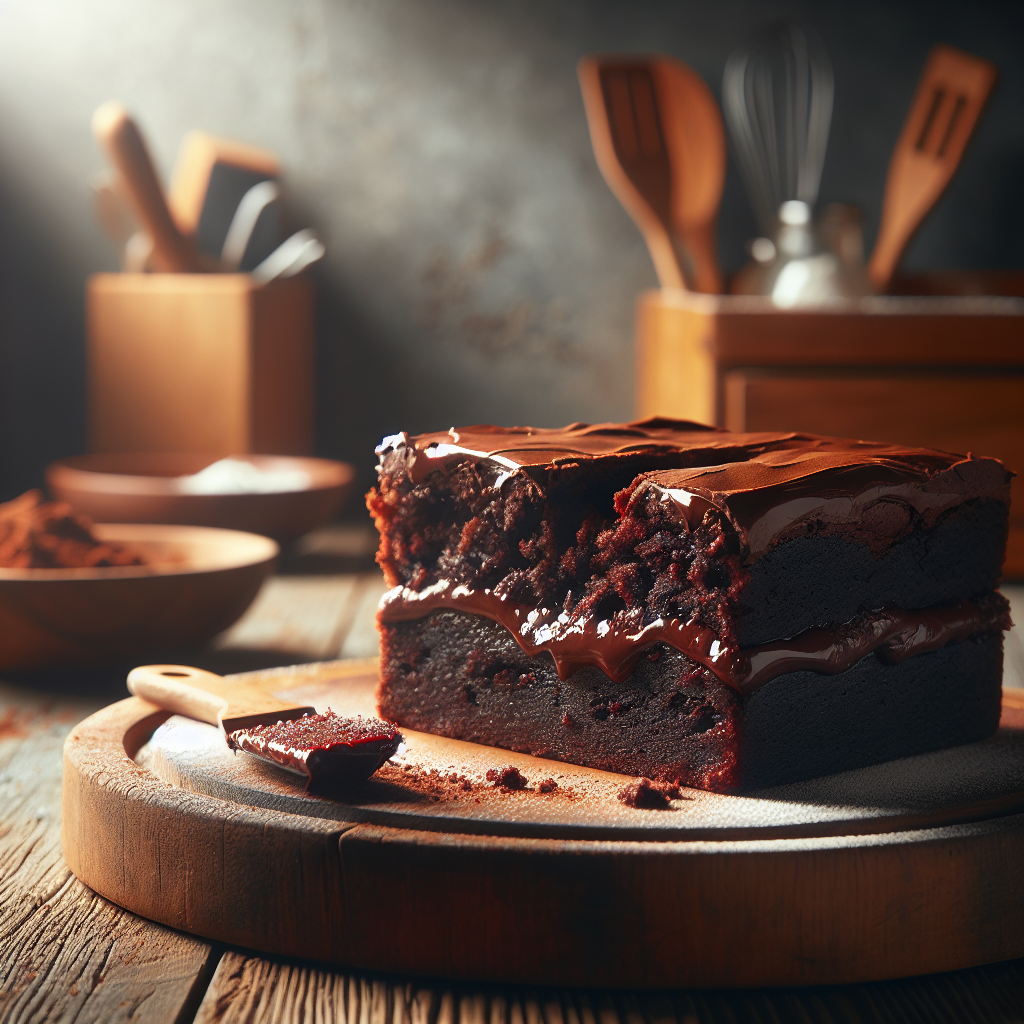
point(209, 698)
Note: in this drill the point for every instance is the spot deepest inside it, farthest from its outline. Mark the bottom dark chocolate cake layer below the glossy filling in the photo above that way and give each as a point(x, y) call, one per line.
point(464, 676)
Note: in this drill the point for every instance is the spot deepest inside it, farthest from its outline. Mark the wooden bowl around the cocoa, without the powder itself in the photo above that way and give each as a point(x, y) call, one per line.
point(200, 581)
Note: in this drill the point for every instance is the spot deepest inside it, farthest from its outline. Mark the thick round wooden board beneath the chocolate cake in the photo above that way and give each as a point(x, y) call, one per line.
point(903, 869)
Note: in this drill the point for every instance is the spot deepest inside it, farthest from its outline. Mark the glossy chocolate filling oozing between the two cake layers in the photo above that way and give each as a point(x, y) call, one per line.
point(616, 646)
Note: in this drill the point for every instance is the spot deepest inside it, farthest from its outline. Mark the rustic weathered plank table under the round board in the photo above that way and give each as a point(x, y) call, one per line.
point(68, 955)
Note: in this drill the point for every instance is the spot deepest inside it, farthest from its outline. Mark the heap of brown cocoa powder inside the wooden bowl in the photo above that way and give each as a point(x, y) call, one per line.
point(36, 534)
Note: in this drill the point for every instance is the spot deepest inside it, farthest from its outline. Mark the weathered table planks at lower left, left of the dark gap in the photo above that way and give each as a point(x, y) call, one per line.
point(67, 954)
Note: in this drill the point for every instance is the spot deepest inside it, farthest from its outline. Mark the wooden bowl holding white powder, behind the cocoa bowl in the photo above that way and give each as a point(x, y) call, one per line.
point(142, 487)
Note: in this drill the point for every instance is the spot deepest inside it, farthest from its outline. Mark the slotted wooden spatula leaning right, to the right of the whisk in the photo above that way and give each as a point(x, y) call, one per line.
point(950, 100)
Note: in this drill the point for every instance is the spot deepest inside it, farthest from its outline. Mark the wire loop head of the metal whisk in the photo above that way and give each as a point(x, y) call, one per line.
point(778, 97)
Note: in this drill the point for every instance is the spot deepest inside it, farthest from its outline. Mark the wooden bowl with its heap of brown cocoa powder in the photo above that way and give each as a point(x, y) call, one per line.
point(78, 593)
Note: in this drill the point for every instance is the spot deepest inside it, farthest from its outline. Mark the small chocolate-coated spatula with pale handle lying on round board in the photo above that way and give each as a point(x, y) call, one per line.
point(327, 751)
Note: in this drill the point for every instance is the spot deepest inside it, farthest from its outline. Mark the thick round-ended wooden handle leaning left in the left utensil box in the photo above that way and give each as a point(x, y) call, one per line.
point(123, 143)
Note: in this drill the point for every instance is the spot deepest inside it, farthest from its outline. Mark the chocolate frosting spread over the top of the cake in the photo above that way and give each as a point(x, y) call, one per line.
point(771, 487)
